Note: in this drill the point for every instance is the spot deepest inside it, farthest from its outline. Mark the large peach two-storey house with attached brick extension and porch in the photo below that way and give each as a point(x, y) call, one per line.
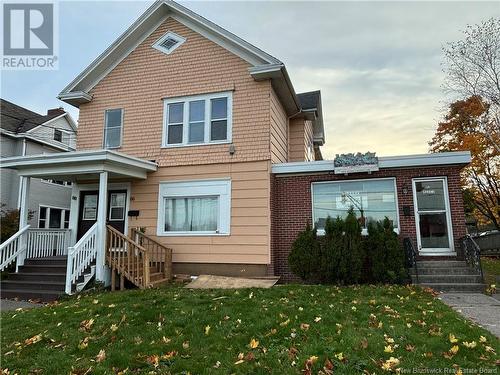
point(199, 139)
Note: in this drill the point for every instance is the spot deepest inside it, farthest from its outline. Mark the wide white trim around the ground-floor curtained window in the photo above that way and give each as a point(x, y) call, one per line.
point(196, 188)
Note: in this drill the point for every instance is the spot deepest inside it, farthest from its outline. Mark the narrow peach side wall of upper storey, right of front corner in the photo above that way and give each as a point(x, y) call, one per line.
point(279, 131)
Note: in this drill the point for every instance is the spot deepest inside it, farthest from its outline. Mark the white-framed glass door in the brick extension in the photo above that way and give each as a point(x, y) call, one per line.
point(432, 215)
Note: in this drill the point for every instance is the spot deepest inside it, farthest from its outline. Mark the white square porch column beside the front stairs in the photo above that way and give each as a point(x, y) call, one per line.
point(102, 272)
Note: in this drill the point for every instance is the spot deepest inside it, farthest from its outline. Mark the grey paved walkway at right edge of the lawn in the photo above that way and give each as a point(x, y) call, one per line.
point(479, 308)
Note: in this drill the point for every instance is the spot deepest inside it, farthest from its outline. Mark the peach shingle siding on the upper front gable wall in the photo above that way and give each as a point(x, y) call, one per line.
point(146, 76)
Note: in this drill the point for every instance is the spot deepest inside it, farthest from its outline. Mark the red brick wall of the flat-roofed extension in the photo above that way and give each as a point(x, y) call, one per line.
point(291, 207)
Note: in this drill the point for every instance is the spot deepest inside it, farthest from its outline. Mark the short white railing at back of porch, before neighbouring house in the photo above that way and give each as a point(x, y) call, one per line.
point(47, 242)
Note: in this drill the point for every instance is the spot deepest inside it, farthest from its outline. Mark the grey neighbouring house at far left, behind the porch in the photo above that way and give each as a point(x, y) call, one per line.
point(24, 132)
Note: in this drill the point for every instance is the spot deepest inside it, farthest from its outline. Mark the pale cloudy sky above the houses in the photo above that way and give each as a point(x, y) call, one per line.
point(378, 64)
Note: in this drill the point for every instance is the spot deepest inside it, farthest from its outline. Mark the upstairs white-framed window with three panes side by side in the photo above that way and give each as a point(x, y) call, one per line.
point(200, 119)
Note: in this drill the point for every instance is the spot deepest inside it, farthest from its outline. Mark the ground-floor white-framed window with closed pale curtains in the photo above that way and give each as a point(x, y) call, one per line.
point(201, 207)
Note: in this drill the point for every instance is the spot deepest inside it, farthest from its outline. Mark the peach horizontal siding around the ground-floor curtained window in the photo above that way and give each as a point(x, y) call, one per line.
point(249, 237)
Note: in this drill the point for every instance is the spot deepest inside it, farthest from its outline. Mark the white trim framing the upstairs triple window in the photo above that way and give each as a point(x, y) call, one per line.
point(207, 120)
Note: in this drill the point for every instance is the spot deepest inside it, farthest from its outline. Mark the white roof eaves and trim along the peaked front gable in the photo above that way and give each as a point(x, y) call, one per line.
point(263, 66)
